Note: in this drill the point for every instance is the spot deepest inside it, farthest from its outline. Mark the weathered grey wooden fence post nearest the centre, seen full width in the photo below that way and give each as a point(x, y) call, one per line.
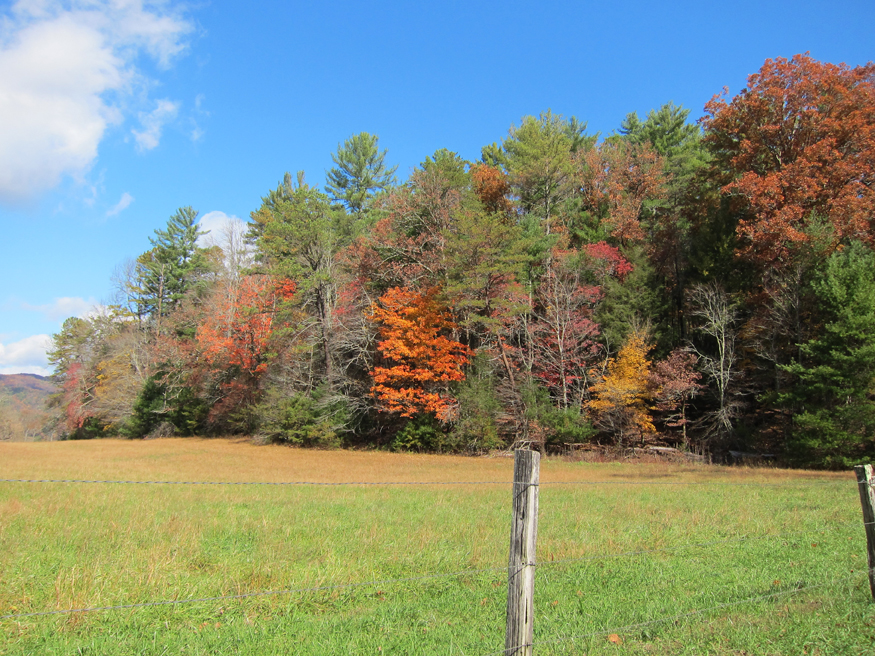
point(521, 567)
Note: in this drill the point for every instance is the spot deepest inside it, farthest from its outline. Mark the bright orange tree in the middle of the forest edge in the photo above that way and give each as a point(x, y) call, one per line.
point(419, 360)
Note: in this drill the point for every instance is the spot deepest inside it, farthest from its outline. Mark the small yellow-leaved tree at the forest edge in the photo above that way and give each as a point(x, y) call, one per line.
point(621, 401)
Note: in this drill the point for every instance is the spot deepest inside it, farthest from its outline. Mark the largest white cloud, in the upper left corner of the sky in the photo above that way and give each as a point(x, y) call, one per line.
point(67, 67)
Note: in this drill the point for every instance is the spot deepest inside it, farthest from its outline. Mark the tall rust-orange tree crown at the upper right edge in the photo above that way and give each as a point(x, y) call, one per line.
point(798, 142)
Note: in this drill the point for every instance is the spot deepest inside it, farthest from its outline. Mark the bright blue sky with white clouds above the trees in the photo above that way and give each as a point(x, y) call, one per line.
point(114, 113)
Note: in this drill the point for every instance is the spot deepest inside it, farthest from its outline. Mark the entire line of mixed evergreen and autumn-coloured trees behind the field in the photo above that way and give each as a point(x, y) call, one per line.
point(709, 285)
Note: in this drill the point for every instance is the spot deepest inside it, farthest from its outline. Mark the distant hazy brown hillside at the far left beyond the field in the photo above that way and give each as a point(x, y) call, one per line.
point(23, 411)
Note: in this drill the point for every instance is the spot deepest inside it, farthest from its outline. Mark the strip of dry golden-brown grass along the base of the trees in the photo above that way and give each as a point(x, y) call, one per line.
point(238, 459)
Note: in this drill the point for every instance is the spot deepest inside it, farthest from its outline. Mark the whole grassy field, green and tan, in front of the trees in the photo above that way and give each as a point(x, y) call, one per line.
point(645, 559)
